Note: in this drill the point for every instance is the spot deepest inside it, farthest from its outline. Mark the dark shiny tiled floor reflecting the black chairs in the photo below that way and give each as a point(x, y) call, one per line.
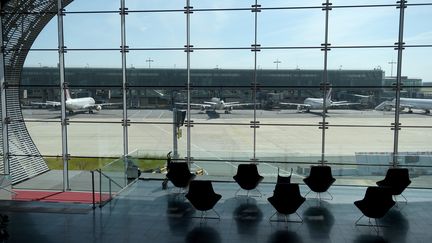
point(146, 213)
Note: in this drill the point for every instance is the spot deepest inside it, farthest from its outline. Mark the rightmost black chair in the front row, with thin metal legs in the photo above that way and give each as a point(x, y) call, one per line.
point(375, 204)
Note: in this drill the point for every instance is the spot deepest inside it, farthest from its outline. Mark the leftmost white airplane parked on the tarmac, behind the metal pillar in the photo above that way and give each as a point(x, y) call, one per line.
point(76, 104)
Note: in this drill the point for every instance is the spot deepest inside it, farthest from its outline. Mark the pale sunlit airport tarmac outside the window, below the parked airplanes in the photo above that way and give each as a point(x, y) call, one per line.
point(283, 136)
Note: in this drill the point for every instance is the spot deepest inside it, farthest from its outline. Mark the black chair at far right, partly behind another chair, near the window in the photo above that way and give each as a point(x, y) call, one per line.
point(397, 180)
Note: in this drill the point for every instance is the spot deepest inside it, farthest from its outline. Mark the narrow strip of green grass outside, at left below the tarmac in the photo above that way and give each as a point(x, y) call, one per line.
point(78, 163)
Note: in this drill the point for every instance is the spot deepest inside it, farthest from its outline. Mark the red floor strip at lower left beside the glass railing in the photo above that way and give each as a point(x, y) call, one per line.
point(58, 196)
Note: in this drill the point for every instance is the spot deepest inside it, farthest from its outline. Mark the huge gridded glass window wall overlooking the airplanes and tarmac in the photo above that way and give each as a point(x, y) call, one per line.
point(248, 79)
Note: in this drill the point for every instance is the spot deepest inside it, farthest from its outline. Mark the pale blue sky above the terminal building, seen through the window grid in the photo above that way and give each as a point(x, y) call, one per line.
point(226, 29)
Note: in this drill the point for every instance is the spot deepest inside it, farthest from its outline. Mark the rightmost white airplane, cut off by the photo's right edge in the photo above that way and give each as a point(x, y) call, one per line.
point(410, 103)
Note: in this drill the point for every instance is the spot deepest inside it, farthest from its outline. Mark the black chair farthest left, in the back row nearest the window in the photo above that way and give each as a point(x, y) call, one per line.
point(179, 174)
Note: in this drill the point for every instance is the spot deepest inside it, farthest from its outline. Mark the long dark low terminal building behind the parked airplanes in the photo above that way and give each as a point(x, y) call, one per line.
point(41, 84)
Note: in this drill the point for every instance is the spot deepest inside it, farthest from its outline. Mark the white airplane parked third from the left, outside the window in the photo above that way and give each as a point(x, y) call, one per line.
point(317, 103)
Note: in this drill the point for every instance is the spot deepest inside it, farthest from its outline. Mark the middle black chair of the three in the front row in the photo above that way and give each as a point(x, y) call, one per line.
point(286, 200)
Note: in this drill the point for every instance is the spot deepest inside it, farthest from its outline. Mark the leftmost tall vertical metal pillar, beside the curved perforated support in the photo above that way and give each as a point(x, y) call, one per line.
point(63, 87)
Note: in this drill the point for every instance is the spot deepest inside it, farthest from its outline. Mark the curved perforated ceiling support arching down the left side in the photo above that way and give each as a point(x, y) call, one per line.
point(22, 22)
